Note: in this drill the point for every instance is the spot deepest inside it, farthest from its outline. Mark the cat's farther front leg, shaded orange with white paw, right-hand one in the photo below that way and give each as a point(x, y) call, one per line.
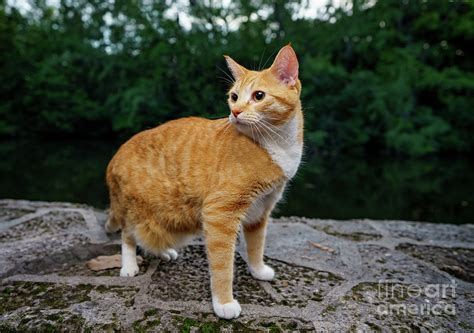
point(255, 239)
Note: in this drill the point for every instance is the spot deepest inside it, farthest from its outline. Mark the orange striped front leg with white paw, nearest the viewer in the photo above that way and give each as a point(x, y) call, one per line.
point(220, 231)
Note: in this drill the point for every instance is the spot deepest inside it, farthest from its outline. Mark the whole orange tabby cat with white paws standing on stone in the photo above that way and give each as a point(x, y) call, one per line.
point(193, 174)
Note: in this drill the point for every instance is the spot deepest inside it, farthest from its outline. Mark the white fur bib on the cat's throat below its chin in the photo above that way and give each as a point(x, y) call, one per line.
point(284, 147)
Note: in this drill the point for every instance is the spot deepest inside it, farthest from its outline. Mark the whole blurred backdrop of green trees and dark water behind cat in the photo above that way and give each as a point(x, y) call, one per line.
point(387, 95)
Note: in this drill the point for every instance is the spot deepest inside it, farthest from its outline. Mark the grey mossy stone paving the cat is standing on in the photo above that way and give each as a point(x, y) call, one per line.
point(358, 275)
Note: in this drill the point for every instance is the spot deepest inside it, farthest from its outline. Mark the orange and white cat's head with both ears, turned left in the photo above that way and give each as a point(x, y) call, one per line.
point(268, 97)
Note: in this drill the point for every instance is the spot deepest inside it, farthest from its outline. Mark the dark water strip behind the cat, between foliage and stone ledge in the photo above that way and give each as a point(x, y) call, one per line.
point(436, 190)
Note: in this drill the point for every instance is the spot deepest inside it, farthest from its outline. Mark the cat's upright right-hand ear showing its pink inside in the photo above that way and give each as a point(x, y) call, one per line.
point(285, 66)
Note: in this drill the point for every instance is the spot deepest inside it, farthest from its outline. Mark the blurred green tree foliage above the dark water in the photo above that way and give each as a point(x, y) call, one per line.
point(394, 76)
